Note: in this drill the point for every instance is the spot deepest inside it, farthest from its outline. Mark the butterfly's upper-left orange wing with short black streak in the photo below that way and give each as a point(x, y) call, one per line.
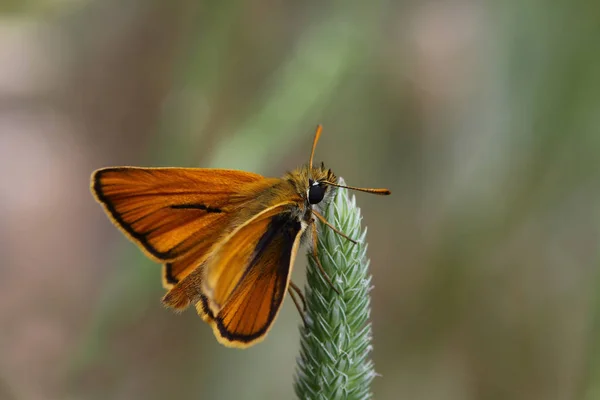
point(169, 212)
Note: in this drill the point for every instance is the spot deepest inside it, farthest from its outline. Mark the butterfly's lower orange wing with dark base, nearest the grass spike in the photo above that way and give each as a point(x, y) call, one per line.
point(245, 282)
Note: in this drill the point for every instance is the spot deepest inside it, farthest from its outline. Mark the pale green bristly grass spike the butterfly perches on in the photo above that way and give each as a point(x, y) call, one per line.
point(335, 345)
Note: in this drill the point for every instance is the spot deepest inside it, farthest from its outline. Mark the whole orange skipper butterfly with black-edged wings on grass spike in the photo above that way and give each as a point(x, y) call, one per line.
point(228, 239)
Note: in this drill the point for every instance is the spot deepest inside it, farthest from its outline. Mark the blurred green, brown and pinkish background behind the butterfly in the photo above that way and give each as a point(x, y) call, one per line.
point(482, 117)
